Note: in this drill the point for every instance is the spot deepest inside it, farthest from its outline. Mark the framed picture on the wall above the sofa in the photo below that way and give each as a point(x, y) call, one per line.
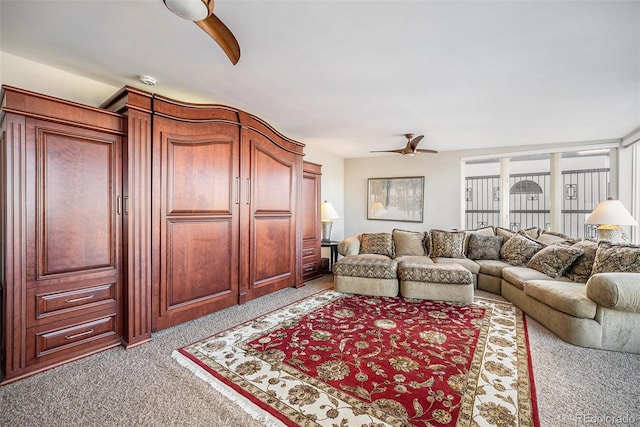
point(396, 199)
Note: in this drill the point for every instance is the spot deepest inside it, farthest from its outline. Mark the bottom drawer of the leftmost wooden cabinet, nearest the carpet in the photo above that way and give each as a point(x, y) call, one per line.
point(66, 341)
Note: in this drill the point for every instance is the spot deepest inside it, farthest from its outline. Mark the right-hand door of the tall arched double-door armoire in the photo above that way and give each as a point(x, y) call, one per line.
point(268, 234)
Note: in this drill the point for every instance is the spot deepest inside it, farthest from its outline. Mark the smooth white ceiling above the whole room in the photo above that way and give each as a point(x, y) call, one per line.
point(354, 76)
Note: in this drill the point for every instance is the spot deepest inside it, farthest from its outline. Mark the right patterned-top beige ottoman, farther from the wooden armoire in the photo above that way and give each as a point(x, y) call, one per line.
point(444, 282)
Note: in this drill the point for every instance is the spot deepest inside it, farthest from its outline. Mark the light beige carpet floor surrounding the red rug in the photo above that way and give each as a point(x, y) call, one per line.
point(144, 386)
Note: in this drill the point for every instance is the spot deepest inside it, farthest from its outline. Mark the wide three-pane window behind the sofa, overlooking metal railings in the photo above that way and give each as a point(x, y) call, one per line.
point(585, 182)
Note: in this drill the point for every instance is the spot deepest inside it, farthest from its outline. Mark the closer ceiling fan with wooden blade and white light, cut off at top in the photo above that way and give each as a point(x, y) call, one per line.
point(201, 13)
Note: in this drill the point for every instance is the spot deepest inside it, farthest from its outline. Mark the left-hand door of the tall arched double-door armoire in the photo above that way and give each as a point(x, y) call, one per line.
point(195, 219)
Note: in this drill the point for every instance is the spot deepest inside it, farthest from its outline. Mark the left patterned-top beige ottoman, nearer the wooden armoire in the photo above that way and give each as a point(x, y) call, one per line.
point(375, 275)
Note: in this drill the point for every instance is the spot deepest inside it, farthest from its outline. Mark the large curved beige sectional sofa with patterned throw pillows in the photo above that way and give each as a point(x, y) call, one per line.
point(586, 292)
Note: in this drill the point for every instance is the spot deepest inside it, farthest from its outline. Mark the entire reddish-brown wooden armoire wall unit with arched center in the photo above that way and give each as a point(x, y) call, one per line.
point(139, 215)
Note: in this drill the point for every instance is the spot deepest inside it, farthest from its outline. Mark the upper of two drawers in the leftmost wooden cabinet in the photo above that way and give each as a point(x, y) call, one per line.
point(47, 305)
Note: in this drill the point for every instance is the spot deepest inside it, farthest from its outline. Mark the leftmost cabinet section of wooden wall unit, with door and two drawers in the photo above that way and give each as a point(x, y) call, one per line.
point(62, 230)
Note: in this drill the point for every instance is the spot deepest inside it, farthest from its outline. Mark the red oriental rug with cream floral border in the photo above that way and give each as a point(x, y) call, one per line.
point(349, 360)
